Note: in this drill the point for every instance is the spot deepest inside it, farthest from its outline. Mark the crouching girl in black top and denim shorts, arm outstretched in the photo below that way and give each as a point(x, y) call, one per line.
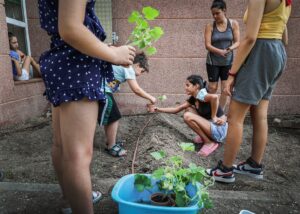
point(202, 114)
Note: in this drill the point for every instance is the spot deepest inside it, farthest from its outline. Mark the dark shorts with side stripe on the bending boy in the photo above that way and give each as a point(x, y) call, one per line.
point(108, 112)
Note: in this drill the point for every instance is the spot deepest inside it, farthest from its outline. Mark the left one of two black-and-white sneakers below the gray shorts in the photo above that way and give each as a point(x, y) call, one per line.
point(221, 173)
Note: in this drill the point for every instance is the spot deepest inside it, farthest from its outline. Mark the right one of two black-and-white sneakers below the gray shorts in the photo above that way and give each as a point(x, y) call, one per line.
point(250, 168)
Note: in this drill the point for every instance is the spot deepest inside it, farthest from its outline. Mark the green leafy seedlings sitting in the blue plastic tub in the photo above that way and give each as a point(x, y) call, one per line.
point(173, 177)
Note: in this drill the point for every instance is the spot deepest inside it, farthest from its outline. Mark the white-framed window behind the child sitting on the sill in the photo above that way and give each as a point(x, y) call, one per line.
point(16, 19)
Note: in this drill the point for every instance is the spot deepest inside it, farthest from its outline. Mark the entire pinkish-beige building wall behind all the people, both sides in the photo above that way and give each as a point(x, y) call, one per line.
point(181, 52)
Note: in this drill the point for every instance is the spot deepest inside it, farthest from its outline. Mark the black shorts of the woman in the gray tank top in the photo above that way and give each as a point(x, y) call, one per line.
point(216, 72)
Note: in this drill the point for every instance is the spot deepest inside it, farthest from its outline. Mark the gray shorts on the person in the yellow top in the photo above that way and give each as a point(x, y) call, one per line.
point(257, 77)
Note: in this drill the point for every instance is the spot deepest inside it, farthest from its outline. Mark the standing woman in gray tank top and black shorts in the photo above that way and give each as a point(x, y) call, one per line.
point(221, 38)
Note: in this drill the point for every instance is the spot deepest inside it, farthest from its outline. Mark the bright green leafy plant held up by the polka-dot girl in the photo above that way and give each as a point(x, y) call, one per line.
point(143, 36)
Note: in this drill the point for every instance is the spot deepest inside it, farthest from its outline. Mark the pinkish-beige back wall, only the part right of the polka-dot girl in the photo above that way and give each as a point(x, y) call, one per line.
point(181, 51)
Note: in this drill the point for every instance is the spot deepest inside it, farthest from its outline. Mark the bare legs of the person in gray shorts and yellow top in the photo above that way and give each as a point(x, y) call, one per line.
point(236, 116)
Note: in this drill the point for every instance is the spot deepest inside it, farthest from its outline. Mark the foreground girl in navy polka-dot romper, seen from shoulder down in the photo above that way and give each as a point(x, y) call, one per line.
point(74, 70)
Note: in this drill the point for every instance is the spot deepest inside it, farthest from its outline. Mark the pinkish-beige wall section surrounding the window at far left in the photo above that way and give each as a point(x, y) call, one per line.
point(21, 101)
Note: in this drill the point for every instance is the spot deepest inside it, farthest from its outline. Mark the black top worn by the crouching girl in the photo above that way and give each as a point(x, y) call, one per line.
point(204, 109)
